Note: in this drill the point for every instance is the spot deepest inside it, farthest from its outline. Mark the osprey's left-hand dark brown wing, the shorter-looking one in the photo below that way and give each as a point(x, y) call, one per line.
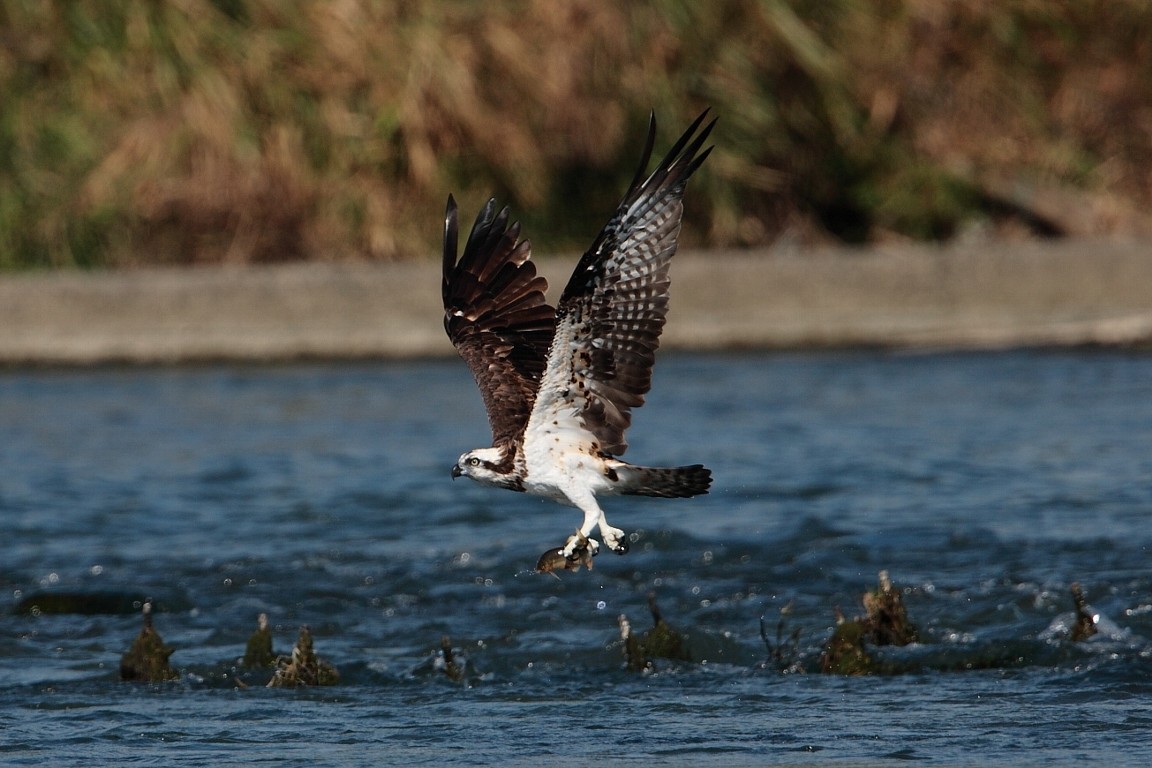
point(497, 317)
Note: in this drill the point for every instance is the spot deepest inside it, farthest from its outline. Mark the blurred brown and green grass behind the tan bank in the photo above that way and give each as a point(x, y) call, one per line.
point(192, 132)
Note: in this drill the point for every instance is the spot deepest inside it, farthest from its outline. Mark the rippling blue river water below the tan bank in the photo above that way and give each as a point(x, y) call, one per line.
point(320, 495)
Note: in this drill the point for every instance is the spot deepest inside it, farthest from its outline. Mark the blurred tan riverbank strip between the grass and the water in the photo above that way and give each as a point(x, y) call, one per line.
point(975, 296)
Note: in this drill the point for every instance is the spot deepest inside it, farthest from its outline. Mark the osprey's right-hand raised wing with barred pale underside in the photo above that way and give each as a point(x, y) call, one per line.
point(611, 314)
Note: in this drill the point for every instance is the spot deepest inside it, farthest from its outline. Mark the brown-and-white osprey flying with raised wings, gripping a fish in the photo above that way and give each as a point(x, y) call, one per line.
point(559, 384)
